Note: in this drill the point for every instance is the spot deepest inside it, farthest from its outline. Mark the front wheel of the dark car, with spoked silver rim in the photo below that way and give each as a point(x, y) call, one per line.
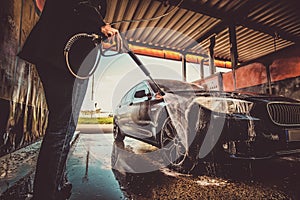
point(174, 148)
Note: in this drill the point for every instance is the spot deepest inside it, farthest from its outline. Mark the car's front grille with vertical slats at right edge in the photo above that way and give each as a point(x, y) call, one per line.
point(285, 114)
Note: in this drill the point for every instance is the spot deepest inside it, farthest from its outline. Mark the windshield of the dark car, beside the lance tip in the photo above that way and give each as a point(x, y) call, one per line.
point(174, 85)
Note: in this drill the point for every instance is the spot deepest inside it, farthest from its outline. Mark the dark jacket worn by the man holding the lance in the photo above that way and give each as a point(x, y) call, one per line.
point(60, 20)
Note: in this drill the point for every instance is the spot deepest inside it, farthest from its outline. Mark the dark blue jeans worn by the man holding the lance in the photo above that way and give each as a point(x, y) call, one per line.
point(64, 95)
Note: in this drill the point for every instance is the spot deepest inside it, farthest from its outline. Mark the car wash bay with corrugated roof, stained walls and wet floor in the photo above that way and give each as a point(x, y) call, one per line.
point(258, 40)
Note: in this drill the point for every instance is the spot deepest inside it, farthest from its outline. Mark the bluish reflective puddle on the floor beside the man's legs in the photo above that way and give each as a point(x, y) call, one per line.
point(88, 169)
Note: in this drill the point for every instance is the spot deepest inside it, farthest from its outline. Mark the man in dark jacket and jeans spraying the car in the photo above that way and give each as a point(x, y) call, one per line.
point(44, 47)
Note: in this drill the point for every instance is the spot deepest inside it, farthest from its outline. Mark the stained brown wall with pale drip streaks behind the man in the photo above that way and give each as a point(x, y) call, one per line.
point(23, 108)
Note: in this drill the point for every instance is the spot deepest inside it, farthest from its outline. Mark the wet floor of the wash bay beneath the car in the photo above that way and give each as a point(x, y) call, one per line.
point(94, 157)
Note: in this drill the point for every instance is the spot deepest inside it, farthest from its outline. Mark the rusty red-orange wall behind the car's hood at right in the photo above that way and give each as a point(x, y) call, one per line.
point(284, 72)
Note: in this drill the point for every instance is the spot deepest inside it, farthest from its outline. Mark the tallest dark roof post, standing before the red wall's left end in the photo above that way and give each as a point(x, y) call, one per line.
point(233, 51)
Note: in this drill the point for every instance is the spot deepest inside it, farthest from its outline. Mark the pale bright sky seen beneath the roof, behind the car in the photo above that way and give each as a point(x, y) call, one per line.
point(117, 74)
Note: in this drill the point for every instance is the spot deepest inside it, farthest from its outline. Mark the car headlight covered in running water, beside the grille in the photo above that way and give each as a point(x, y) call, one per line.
point(225, 105)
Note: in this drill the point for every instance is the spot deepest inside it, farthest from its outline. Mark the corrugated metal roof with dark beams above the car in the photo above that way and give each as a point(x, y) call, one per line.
point(262, 26)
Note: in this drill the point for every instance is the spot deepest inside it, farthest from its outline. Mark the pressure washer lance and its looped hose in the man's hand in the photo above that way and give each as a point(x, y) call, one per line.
point(121, 45)
